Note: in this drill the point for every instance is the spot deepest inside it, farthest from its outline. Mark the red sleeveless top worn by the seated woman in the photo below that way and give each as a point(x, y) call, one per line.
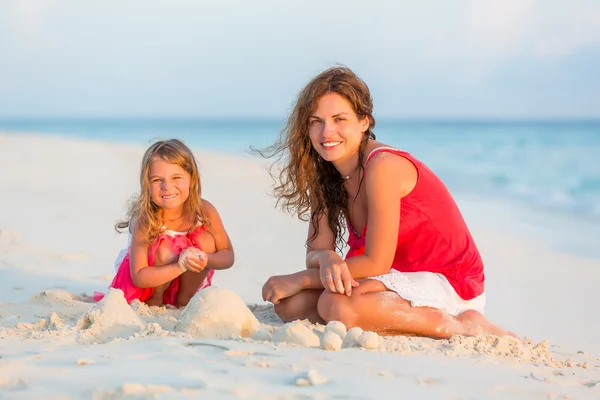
point(433, 235)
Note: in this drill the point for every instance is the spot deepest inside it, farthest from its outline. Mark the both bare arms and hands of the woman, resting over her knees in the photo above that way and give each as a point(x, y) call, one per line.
point(388, 180)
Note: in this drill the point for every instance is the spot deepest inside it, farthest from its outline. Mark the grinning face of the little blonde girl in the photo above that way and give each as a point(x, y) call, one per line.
point(169, 184)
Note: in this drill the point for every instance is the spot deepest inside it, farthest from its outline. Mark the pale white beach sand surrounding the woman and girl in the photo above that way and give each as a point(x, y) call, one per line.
point(60, 199)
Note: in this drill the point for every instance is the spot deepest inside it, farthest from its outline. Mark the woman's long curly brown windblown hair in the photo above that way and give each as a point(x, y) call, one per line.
point(305, 183)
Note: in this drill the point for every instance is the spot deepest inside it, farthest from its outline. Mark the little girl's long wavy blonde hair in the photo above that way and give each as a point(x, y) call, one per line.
point(149, 216)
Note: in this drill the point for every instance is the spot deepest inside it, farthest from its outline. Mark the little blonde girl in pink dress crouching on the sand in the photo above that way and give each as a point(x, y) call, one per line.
point(177, 238)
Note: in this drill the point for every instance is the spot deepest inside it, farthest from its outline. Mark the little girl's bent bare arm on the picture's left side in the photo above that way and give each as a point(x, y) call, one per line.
point(142, 275)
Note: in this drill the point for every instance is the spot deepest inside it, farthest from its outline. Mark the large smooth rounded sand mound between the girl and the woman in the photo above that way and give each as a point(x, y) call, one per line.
point(217, 313)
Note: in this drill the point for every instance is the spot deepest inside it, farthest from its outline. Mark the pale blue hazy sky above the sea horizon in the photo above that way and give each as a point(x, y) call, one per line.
point(248, 58)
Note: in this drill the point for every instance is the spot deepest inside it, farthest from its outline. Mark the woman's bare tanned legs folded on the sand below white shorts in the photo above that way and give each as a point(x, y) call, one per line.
point(373, 307)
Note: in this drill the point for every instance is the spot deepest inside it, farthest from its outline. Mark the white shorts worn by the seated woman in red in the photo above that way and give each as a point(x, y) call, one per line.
point(428, 289)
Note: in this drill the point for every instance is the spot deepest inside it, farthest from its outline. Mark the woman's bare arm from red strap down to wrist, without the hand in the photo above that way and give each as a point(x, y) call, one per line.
point(389, 178)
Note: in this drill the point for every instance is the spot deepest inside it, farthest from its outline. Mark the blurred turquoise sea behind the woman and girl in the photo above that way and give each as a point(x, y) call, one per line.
point(551, 168)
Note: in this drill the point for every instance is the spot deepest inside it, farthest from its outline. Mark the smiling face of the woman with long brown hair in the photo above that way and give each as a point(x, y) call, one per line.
point(334, 128)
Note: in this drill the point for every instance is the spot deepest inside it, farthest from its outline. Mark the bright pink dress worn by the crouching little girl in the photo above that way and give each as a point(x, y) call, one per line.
point(176, 242)
